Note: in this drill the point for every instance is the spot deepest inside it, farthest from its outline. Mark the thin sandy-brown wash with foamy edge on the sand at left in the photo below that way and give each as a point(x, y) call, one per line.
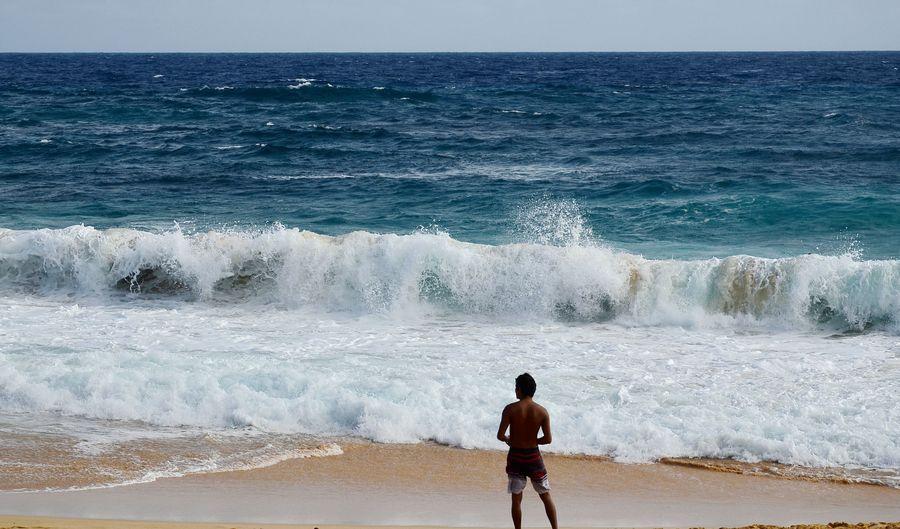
point(43, 452)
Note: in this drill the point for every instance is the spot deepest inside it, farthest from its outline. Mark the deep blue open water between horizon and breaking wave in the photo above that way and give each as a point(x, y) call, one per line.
point(685, 155)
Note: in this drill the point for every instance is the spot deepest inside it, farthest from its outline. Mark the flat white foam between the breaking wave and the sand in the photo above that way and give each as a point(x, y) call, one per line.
point(636, 393)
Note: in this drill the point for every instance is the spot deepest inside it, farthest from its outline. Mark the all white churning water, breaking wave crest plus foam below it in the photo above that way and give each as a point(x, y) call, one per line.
point(405, 338)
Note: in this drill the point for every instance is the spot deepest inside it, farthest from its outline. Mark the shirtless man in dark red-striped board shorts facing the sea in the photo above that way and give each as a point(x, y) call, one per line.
point(524, 419)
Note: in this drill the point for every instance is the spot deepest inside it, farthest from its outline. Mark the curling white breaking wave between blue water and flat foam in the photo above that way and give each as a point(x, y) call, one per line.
point(423, 272)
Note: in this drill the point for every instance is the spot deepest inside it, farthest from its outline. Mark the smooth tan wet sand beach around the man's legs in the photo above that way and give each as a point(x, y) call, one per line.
point(433, 485)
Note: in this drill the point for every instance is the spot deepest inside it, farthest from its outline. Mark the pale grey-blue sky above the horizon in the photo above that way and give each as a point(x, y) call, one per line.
point(447, 25)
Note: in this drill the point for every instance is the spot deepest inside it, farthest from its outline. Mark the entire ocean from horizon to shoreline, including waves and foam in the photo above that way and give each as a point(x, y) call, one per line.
point(219, 261)
